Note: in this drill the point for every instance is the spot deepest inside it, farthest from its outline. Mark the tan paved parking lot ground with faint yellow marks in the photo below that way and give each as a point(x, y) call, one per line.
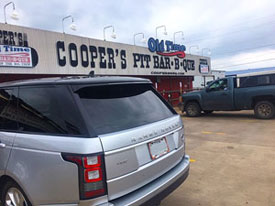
point(233, 161)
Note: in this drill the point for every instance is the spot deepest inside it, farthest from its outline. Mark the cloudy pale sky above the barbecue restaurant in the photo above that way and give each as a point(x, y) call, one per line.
point(239, 33)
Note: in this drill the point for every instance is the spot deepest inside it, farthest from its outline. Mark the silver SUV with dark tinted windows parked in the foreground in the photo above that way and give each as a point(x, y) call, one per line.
point(104, 141)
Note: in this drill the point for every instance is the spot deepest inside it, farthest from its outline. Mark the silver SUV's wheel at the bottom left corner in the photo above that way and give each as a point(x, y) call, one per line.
point(13, 195)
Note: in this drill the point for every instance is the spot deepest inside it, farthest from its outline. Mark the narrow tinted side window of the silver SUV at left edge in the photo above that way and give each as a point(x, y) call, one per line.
point(8, 110)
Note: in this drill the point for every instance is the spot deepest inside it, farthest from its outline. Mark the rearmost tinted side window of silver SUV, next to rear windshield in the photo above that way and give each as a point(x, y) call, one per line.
point(48, 111)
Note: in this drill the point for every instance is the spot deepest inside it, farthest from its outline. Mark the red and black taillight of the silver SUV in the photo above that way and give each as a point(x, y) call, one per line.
point(92, 178)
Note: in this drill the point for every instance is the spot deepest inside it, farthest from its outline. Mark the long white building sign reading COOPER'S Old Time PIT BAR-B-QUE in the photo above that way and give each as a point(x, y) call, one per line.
point(56, 53)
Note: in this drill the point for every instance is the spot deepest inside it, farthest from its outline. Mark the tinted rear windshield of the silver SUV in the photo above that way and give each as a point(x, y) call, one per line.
point(118, 107)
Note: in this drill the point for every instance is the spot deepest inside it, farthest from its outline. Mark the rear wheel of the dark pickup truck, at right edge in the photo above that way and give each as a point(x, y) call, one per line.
point(264, 110)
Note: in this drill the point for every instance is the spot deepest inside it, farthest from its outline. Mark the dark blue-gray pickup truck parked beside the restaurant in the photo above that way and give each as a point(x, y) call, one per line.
point(233, 94)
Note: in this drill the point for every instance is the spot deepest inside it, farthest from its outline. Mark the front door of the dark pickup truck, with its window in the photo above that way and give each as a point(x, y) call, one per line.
point(218, 96)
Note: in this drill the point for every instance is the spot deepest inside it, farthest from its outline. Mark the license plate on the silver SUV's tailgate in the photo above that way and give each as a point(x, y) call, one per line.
point(158, 148)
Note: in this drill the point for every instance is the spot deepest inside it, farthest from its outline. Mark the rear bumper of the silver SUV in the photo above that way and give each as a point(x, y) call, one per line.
point(157, 190)
